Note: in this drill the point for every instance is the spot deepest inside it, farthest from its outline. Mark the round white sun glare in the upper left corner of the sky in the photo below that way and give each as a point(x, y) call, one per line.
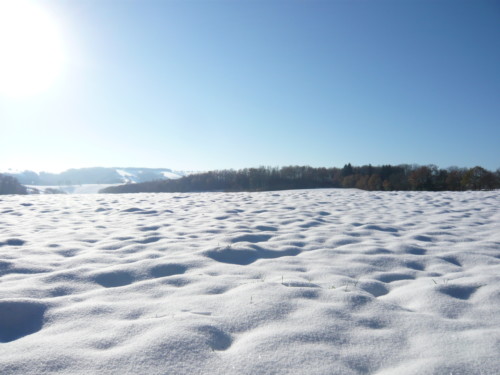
point(31, 52)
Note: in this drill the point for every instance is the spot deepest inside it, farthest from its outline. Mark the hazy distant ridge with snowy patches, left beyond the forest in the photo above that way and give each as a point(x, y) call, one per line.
point(96, 175)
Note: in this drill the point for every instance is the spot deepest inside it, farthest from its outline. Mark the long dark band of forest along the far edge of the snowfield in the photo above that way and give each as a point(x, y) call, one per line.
point(367, 177)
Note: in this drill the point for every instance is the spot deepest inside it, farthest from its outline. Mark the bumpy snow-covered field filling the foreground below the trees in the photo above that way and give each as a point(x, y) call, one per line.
point(291, 282)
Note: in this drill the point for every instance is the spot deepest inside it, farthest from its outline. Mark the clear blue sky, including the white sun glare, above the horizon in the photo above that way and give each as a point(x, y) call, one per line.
point(202, 85)
